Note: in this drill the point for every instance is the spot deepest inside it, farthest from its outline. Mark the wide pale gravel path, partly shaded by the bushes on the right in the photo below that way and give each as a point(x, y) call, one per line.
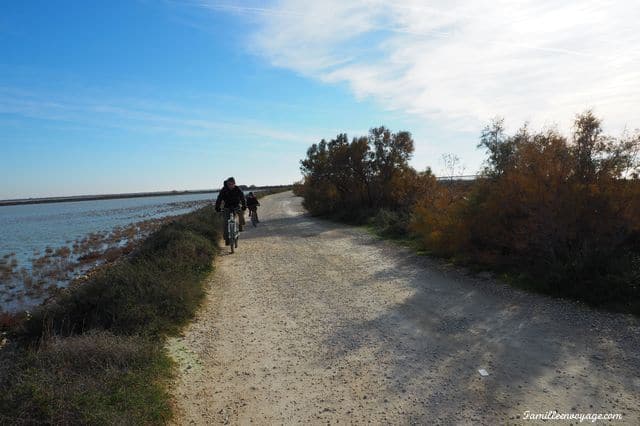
point(315, 322)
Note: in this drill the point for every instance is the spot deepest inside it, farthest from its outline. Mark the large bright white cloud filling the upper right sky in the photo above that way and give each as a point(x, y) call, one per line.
point(462, 62)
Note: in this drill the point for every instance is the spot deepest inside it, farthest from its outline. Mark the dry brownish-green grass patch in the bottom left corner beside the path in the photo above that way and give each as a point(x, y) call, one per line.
point(96, 378)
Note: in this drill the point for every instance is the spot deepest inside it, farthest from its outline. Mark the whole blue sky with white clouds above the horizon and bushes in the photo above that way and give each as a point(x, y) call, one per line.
point(152, 95)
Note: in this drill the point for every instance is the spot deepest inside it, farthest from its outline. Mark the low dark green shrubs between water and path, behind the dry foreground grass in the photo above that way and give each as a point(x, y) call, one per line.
point(153, 292)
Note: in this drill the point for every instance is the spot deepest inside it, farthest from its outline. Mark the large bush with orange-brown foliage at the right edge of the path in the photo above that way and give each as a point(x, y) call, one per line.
point(563, 215)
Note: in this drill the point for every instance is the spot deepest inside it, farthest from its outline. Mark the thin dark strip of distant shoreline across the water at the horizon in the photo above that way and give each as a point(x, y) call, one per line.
point(74, 198)
